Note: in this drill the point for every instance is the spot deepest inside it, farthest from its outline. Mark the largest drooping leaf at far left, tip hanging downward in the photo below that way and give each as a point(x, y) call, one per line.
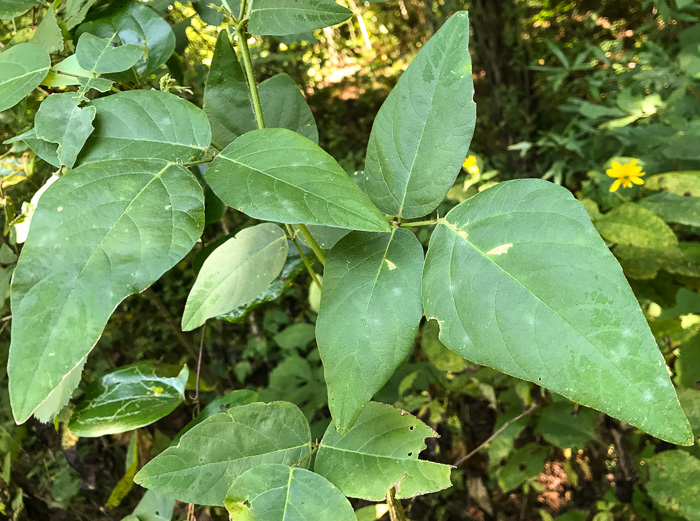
point(127, 223)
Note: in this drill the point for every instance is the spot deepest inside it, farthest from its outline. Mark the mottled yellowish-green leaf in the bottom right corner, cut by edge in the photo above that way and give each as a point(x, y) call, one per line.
point(673, 483)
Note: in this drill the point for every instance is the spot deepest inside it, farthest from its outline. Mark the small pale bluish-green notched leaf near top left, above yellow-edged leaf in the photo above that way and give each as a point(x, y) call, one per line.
point(105, 55)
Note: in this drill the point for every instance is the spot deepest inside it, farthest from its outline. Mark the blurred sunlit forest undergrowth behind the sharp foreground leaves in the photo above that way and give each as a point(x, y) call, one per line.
point(563, 89)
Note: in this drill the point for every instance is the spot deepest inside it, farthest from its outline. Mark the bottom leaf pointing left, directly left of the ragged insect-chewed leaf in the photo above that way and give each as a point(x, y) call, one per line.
point(200, 468)
